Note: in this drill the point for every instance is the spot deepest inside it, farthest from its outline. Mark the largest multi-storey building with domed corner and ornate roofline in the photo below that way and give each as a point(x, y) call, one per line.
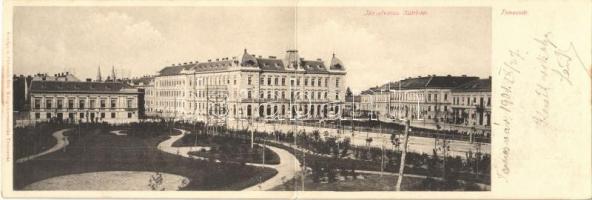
point(249, 87)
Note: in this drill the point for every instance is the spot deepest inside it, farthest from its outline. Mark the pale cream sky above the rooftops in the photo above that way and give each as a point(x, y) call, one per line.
point(140, 41)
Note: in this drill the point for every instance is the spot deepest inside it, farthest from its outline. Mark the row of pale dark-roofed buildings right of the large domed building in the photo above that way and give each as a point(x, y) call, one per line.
point(434, 100)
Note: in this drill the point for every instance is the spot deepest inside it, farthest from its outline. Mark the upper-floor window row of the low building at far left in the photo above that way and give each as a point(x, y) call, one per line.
point(81, 103)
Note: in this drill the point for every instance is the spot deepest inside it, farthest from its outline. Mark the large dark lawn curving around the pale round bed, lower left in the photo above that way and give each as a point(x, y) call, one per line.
point(98, 150)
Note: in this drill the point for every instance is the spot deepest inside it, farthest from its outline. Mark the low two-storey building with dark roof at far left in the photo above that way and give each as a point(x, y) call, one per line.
point(76, 101)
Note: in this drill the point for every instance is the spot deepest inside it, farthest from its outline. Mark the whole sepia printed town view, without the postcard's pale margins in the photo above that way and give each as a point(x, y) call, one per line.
point(252, 98)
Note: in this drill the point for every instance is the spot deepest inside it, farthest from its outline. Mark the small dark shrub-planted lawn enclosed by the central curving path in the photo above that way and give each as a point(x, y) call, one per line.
point(229, 148)
